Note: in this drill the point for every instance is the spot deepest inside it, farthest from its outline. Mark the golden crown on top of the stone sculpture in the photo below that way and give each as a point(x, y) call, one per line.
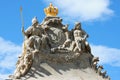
point(51, 10)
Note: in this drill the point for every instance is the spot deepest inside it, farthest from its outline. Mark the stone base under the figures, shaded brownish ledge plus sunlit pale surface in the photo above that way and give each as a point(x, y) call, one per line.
point(52, 67)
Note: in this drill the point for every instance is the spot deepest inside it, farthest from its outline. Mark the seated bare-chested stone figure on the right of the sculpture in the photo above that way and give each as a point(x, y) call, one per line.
point(80, 38)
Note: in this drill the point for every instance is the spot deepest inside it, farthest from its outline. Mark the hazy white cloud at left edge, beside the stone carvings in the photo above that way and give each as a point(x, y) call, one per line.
point(8, 56)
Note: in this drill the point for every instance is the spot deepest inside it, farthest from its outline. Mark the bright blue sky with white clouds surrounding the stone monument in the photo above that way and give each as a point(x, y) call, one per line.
point(100, 19)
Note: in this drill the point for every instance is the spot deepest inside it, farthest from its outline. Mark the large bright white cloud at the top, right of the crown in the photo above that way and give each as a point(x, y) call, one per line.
point(83, 10)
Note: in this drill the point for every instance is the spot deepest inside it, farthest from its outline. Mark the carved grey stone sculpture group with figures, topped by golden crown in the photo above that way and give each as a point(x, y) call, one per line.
point(53, 42)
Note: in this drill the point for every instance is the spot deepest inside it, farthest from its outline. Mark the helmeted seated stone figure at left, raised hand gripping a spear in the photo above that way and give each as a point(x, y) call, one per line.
point(33, 36)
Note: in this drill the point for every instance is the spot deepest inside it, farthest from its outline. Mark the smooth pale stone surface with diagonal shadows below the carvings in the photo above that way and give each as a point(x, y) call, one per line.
point(64, 71)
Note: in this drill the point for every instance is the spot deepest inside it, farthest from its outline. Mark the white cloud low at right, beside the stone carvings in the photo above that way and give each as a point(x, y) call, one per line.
point(107, 55)
